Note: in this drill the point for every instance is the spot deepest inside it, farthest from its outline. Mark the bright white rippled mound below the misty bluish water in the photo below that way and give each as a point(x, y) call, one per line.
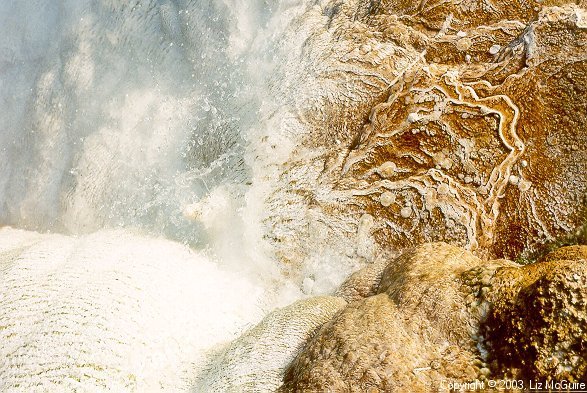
point(111, 312)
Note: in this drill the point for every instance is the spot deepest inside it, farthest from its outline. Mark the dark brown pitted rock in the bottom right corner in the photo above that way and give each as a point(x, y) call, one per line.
point(538, 330)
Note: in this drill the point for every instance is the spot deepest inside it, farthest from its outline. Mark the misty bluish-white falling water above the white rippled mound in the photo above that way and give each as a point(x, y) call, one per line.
point(129, 114)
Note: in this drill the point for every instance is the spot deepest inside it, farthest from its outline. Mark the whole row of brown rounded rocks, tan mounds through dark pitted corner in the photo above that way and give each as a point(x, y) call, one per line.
point(442, 314)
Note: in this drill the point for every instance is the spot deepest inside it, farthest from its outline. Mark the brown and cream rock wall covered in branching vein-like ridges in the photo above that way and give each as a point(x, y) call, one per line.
point(456, 121)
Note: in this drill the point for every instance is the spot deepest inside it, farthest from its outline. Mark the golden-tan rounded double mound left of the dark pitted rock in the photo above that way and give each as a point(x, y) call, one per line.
point(418, 330)
